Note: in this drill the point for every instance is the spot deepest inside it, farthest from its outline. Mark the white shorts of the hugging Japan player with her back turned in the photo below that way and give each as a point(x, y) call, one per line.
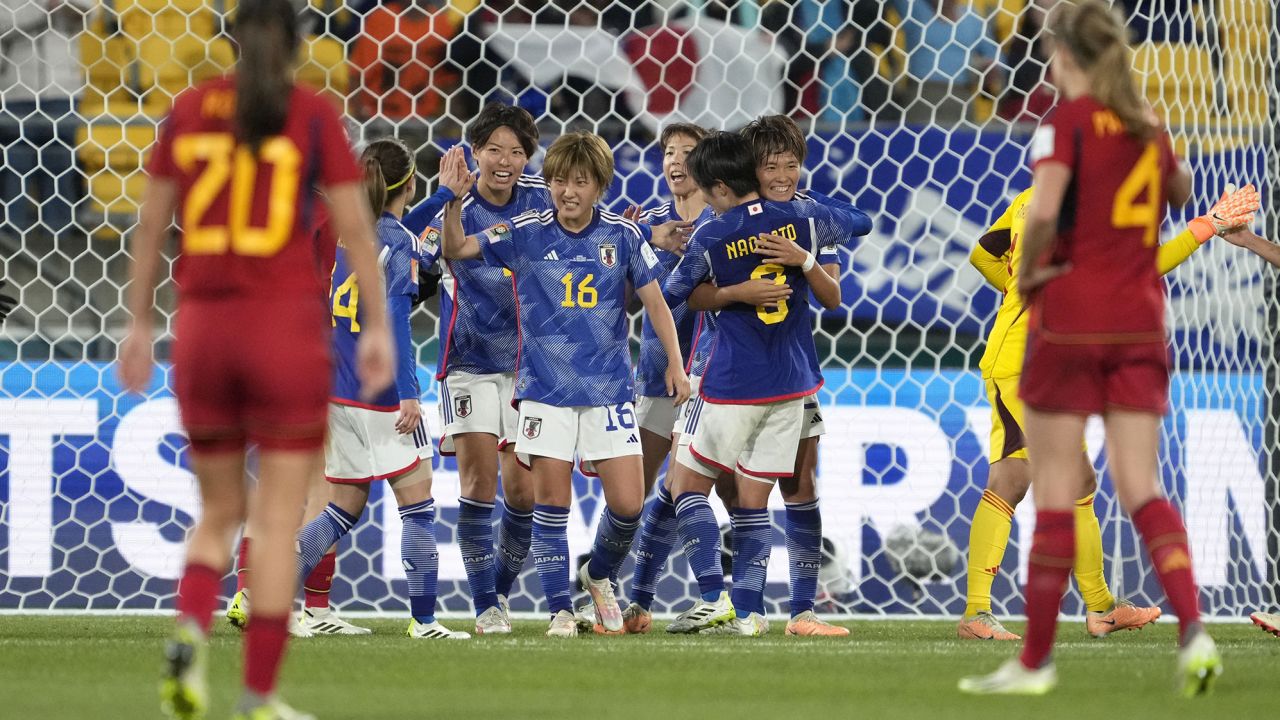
point(758, 441)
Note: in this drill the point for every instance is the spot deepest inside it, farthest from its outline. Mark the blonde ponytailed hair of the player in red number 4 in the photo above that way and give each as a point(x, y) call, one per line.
point(1098, 39)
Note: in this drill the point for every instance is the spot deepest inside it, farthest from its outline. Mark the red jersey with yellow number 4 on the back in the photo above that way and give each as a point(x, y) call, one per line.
point(1109, 229)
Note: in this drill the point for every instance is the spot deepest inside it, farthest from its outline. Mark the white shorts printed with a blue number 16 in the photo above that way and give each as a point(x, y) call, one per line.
point(591, 434)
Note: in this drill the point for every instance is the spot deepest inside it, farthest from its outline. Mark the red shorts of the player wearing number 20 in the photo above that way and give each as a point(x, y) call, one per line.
point(253, 371)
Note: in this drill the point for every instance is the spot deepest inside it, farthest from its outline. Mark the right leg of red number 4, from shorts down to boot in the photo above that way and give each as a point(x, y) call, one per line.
point(1133, 445)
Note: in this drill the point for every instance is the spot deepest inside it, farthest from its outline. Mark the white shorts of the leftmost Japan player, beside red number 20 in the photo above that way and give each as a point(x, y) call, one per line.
point(364, 446)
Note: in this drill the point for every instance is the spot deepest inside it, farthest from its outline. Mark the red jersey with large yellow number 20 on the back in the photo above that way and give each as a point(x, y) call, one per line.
point(249, 224)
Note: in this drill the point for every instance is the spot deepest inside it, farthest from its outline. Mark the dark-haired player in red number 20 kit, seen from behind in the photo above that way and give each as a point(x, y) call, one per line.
point(239, 158)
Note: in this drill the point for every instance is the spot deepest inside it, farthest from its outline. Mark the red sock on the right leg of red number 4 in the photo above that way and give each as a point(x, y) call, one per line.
point(1165, 537)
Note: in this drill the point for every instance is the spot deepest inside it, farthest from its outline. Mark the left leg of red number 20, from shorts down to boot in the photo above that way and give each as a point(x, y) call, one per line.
point(185, 691)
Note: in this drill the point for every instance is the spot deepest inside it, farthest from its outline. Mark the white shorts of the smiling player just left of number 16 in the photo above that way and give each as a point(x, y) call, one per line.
point(478, 404)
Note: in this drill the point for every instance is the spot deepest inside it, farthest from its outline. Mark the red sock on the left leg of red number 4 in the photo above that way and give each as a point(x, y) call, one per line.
point(1052, 560)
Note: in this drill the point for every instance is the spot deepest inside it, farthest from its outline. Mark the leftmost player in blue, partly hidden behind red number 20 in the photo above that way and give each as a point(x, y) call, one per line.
point(385, 439)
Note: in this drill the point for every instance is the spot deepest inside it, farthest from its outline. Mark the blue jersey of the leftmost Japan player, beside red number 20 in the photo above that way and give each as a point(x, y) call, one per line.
point(399, 254)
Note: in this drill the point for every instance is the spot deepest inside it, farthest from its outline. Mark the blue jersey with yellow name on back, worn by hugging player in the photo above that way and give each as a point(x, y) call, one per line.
point(761, 354)
